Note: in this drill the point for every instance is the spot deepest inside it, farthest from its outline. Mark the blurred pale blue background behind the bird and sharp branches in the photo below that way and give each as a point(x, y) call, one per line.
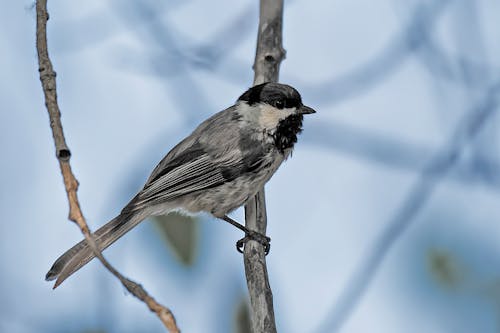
point(386, 219)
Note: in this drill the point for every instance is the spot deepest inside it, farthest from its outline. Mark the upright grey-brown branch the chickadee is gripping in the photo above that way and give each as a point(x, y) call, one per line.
point(268, 57)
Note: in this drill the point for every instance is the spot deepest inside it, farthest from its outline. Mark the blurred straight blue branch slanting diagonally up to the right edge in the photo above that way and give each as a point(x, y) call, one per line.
point(467, 129)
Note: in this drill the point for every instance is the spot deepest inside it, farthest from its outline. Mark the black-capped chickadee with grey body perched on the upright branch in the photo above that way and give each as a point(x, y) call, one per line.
point(223, 163)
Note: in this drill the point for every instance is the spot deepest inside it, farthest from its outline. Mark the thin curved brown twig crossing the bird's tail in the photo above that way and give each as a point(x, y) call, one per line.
point(63, 154)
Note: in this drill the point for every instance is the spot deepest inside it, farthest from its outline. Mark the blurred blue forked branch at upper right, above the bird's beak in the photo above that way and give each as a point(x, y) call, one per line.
point(416, 39)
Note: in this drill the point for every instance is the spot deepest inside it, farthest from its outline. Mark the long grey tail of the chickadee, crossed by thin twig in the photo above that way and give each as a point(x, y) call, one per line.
point(80, 254)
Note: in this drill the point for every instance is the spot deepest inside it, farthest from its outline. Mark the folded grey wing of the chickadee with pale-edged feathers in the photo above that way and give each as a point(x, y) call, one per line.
point(196, 163)
